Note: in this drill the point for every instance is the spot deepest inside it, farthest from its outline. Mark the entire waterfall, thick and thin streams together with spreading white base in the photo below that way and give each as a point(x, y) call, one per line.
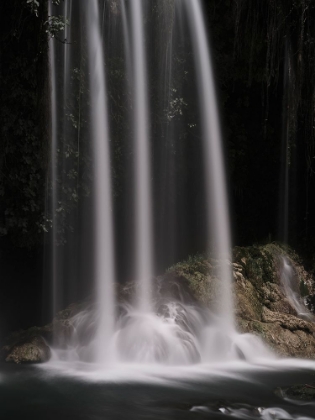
point(149, 328)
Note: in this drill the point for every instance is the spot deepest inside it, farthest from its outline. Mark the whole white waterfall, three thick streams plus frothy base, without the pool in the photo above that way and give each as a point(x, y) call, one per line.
point(152, 328)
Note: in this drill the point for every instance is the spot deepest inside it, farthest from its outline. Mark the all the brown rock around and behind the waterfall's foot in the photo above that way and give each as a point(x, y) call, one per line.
point(261, 305)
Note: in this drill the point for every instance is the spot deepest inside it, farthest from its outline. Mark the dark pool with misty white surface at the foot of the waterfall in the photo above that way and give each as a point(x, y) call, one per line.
point(239, 390)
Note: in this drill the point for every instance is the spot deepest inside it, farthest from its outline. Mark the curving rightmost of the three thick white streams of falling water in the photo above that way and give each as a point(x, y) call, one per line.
point(216, 192)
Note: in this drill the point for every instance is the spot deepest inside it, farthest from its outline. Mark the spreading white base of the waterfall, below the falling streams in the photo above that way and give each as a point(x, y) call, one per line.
point(176, 334)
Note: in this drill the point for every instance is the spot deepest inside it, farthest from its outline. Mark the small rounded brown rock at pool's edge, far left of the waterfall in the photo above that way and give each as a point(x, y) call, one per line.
point(33, 350)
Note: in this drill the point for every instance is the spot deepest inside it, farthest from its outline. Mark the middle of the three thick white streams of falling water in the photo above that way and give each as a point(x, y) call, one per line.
point(143, 205)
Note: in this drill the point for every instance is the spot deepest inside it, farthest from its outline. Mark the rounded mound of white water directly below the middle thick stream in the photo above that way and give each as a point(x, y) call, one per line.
point(164, 338)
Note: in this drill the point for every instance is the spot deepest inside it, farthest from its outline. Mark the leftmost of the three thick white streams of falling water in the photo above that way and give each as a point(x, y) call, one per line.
point(103, 217)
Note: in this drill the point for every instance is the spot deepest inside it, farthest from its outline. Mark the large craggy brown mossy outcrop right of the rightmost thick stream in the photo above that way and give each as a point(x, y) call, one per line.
point(262, 307)
